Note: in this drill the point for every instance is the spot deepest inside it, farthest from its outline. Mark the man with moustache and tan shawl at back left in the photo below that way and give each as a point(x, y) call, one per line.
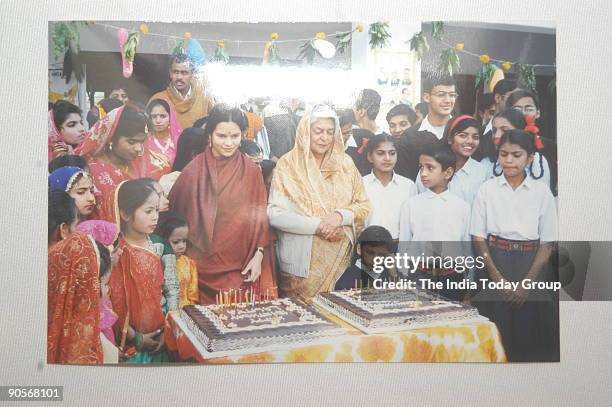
point(185, 93)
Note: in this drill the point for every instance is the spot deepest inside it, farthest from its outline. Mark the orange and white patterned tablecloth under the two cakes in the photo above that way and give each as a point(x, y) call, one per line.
point(477, 341)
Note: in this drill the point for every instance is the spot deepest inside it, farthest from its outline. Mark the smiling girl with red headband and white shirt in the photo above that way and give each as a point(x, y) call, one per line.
point(462, 135)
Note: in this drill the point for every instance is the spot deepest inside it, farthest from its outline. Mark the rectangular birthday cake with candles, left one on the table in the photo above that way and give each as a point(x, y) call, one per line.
point(252, 325)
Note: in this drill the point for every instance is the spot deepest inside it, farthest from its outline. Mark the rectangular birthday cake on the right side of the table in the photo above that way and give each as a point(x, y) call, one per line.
point(375, 311)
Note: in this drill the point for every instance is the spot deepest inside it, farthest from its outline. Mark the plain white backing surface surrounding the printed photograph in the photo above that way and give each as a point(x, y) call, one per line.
point(585, 95)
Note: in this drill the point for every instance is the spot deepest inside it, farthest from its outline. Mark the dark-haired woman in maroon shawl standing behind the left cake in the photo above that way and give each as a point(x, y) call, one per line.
point(222, 195)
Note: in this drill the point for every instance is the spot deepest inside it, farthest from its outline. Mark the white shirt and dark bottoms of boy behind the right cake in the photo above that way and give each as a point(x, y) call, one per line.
point(443, 218)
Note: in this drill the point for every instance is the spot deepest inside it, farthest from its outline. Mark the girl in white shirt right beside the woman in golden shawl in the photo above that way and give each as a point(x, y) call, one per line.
point(386, 190)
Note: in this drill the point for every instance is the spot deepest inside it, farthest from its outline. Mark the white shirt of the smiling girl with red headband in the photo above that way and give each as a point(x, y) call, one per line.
point(465, 182)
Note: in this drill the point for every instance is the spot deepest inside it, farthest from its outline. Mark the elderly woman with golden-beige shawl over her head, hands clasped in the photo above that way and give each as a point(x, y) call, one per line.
point(318, 204)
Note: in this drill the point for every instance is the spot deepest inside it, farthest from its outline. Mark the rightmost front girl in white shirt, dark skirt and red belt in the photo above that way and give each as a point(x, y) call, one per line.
point(514, 221)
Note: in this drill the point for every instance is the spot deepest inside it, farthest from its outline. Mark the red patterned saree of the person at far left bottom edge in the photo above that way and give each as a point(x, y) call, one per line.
point(73, 330)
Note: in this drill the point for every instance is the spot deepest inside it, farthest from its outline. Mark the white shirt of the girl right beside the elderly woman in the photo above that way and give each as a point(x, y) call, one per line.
point(387, 201)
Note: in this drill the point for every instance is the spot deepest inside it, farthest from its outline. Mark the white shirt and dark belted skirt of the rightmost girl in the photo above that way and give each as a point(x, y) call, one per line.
point(515, 222)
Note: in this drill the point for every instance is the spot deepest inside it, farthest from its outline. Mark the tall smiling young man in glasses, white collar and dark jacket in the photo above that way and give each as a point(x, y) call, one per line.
point(440, 95)
